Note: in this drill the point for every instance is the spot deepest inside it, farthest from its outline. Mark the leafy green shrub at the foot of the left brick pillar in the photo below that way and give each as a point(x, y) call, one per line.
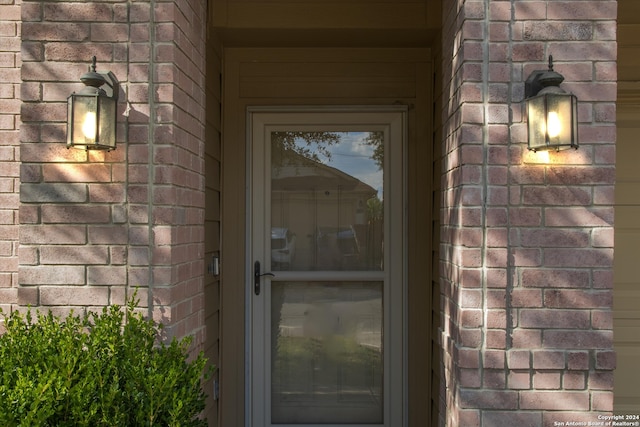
point(96, 370)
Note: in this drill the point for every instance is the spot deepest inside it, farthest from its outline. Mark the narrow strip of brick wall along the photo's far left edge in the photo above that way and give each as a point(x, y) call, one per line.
point(9, 150)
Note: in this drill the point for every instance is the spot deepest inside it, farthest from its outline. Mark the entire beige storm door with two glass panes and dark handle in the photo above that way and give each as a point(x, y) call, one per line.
point(327, 268)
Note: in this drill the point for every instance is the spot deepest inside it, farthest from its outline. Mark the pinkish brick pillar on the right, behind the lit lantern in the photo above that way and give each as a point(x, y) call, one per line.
point(527, 241)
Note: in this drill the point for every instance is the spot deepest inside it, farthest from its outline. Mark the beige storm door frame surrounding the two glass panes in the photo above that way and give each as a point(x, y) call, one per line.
point(392, 119)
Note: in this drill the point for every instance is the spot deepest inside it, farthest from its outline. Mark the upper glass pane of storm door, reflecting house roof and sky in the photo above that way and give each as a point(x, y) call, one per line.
point(327, 200)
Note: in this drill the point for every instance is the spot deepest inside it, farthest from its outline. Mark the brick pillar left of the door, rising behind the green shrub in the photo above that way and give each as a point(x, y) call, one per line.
point(95, 225)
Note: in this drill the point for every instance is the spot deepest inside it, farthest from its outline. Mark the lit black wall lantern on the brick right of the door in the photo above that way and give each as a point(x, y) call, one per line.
point(552, 113)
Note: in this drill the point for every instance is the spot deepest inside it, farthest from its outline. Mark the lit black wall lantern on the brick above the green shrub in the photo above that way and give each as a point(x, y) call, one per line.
point(91, 114)
